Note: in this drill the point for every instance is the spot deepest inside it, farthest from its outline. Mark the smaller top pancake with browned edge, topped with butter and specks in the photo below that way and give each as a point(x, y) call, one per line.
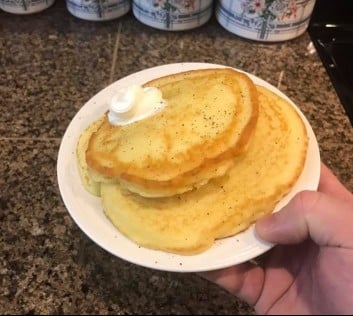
point(210, 117)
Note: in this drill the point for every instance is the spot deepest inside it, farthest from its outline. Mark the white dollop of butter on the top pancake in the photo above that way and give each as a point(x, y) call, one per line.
point(134, 104)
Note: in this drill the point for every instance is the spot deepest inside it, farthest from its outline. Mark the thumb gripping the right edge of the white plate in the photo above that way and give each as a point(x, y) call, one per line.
point(320, 217)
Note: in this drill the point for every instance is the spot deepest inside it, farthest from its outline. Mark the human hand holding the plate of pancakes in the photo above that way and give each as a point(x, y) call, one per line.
point(310, 271)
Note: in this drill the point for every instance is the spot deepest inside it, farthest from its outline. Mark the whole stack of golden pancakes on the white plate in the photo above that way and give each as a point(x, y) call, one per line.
point(219, 156)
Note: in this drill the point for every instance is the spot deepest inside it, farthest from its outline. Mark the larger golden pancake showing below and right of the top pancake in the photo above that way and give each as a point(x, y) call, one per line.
point(189, 223)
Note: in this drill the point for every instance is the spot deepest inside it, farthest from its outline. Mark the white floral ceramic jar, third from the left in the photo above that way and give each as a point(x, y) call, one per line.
point(173, 15)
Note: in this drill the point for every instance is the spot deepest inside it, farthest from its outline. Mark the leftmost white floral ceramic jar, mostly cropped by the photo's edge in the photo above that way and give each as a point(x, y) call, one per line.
point(25, 6)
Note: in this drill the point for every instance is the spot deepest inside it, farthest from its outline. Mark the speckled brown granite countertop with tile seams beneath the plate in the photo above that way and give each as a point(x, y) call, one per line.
point(51, 63)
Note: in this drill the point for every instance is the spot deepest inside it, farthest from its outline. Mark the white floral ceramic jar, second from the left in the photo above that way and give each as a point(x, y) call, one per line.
point(98, 10)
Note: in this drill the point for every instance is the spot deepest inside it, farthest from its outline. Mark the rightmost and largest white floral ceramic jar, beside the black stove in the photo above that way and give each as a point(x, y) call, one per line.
point(265, 20)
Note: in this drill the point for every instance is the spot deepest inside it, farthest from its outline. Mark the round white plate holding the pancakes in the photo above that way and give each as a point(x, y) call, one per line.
point(86, 210)
